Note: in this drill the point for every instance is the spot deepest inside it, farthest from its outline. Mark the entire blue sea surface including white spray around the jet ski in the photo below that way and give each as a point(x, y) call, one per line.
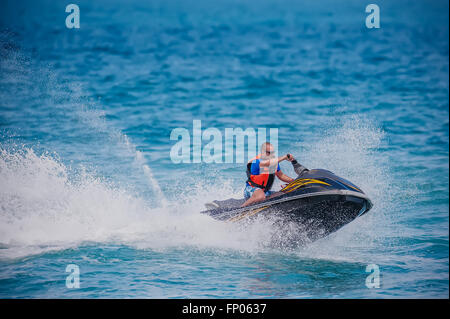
point(86, 176)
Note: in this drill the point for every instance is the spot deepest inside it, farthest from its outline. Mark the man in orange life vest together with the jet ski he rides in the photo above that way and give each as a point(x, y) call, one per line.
point(317, 200)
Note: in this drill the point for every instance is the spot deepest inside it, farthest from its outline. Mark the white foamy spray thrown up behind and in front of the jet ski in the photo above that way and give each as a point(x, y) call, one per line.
point(44, 208)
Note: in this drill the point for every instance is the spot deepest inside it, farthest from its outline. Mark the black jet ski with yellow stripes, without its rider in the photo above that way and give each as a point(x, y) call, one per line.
point(317, 201)
